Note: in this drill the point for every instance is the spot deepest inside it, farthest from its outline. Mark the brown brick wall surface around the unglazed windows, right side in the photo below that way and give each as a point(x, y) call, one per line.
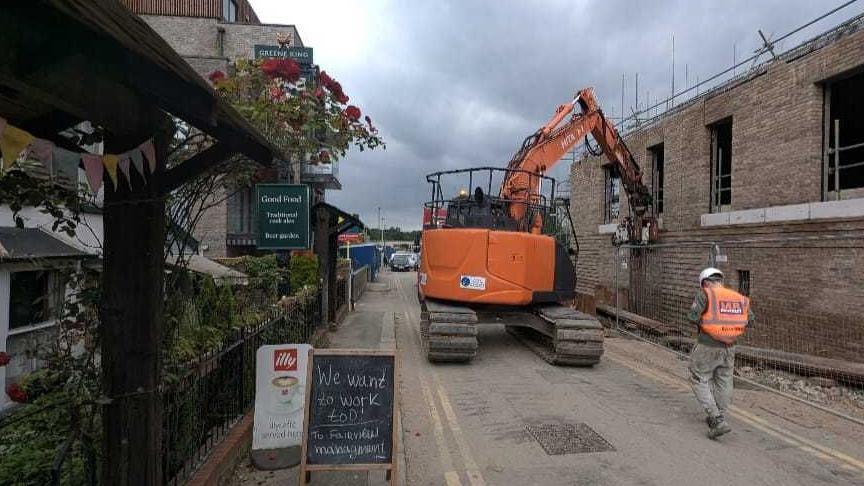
point(808, 296)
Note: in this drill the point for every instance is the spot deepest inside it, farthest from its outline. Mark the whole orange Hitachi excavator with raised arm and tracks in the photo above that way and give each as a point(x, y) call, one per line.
point(494, 258)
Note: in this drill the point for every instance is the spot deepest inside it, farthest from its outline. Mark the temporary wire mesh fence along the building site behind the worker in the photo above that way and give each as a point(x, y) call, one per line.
point(807, 294)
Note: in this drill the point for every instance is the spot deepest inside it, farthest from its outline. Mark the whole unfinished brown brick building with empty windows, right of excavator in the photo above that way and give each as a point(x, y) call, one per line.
point(750, 167)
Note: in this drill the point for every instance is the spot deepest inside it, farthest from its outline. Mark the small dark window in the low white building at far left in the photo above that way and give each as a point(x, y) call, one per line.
point(30, 299)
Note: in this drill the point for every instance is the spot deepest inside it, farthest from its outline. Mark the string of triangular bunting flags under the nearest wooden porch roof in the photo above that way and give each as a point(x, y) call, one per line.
point(61, 165)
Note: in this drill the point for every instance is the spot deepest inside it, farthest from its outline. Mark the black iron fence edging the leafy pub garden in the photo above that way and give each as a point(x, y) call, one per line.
point(47, 440)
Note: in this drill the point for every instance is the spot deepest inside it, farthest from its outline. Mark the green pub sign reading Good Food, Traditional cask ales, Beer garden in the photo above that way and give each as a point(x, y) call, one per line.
point(283, 216)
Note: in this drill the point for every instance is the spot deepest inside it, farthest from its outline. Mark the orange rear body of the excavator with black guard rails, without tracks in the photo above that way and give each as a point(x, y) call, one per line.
point(479, 252)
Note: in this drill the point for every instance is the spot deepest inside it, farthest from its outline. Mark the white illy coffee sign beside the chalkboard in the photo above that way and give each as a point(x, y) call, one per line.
point(280, 396)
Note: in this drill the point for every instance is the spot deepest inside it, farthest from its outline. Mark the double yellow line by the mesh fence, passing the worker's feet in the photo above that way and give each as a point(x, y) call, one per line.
point(820, 451)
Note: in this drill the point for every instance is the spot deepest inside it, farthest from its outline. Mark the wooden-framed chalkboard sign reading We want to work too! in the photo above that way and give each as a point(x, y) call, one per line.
point(351, 411)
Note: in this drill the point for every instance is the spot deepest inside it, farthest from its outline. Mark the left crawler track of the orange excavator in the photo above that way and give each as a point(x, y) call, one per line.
point(449, 332)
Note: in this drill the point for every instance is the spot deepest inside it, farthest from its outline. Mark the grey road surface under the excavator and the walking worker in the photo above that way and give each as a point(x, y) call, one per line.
point(471, 424)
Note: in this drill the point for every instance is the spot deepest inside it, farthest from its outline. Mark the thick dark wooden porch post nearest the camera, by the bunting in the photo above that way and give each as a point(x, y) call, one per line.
point(132, 323)
